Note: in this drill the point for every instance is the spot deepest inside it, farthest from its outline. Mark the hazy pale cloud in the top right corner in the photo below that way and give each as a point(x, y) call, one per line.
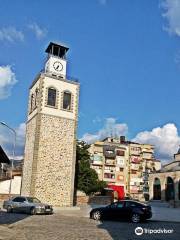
point(172, 15)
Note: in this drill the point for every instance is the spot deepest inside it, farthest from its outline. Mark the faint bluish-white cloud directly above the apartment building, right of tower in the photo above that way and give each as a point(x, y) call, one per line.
point(111, 128)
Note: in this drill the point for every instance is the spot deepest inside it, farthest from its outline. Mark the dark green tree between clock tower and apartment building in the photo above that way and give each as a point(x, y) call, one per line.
point(86, 177)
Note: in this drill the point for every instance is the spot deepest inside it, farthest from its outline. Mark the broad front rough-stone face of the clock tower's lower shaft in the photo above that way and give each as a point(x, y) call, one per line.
point(53, 173)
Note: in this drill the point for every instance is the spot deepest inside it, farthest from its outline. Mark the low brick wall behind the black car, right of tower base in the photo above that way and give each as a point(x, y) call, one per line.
point(96, 200)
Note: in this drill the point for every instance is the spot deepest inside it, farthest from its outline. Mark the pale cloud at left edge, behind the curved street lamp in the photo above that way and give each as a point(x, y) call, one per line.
point(7, 140)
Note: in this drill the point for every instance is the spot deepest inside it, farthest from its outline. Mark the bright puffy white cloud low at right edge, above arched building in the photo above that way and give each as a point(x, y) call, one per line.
point(165, 139)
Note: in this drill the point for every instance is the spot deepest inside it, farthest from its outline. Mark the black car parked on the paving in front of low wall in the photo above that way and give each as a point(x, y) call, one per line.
point(126, 209)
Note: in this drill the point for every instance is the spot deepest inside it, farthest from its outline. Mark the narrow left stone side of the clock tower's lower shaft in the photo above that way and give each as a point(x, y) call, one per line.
point(28, 159)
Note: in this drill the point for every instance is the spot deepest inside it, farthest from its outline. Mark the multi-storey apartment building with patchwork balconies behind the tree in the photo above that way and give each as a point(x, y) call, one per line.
point(124, 165)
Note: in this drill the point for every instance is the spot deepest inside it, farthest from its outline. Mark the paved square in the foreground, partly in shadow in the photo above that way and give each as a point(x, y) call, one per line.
point(61, 227)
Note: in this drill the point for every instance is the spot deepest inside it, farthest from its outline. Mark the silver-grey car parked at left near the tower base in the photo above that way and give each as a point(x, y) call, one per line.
point(29, 205)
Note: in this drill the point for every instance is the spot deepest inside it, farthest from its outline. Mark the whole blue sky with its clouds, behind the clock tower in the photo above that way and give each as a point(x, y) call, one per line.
point(126, 55)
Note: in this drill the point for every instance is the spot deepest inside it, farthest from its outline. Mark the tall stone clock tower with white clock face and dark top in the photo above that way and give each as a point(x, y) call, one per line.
point(50, 149)
